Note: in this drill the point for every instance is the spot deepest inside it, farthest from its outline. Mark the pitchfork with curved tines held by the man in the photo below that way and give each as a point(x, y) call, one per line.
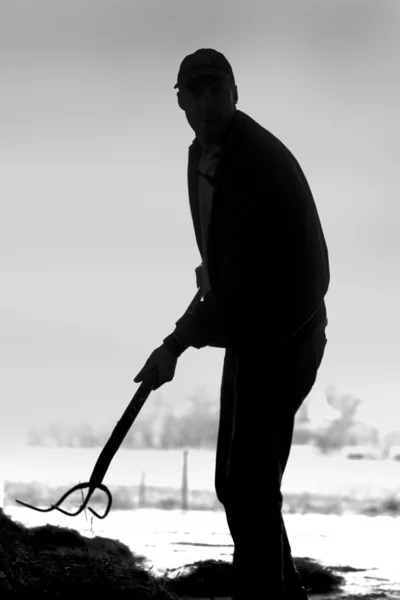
point(107, 454)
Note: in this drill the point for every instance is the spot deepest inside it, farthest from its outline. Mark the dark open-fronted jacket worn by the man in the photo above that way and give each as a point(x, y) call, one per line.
point(267, 259)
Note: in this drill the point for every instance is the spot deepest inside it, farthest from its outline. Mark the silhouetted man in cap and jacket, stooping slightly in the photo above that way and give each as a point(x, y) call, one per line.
point(264, 276)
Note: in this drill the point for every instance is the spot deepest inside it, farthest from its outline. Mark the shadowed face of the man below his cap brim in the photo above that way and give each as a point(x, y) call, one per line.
point(209, 104)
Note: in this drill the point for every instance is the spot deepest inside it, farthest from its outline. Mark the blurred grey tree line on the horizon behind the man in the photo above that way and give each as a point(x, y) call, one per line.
point(157, 426)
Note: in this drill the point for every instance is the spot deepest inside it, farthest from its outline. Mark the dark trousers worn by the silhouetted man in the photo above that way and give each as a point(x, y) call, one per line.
point(260, 396)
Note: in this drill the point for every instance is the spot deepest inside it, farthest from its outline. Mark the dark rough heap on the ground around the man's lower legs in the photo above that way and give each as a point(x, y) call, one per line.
point(57, 562)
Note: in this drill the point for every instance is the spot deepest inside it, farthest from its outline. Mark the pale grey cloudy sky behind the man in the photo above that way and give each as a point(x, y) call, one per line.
point(97, 243)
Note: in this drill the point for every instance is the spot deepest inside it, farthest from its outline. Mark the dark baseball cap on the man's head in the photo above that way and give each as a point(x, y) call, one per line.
point(205, 61)
